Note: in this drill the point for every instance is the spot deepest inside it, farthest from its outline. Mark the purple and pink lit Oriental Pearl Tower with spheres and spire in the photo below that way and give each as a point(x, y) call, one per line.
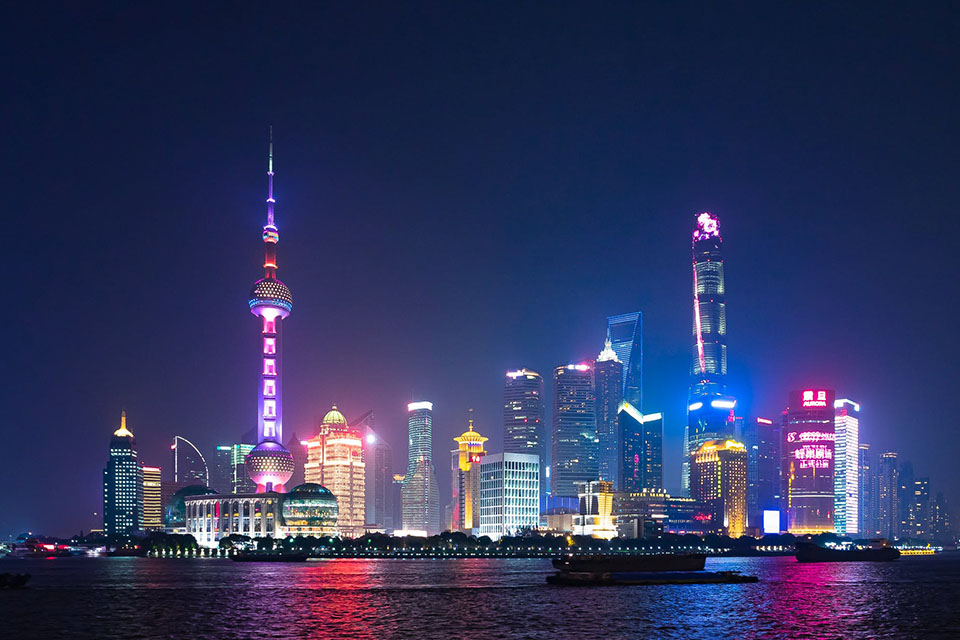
point(270, 464)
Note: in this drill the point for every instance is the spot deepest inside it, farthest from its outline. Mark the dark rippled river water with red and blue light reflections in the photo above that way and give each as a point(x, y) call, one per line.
point(913, 597)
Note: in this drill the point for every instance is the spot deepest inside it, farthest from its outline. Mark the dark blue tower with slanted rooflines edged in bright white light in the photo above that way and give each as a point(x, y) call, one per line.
point(641, 449)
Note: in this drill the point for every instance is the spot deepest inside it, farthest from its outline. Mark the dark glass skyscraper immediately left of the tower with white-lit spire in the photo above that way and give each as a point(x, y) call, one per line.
point(574, 438)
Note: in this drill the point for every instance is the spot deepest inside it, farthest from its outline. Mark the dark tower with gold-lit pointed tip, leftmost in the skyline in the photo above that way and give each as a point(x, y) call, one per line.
point(122, 485)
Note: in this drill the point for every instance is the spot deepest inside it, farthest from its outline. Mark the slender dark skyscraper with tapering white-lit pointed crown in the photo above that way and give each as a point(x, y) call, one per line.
point(608, 374)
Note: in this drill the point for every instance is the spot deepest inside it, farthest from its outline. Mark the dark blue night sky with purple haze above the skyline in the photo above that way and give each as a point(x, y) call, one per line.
point(462, 190)
